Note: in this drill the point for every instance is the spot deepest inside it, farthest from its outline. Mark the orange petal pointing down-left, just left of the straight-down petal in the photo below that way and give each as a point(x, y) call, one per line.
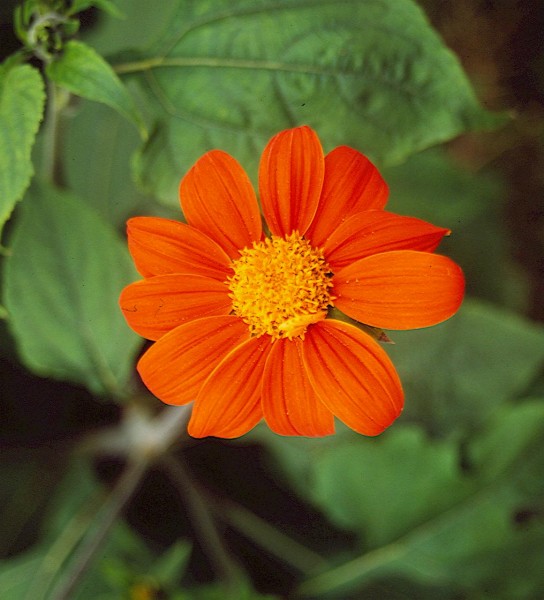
point(229, 403)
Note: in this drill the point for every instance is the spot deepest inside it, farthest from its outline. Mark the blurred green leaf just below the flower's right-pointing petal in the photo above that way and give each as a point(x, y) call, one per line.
point(458, 373)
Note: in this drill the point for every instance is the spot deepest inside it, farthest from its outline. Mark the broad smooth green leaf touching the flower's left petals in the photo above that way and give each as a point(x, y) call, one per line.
point(61, 285)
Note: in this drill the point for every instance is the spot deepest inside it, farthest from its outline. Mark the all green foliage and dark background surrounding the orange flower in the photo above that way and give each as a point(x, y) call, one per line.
point(446, 504)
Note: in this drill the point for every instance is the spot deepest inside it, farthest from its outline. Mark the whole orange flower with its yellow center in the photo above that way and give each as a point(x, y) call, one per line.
point(242, 315)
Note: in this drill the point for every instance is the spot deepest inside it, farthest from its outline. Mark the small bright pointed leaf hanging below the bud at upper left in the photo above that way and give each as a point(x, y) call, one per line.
point(82, 71)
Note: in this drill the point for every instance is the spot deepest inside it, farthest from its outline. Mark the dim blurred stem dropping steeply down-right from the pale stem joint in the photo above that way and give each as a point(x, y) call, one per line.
point(205, 527)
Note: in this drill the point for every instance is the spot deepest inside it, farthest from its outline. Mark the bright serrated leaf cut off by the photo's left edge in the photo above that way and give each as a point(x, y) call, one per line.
point(22, 100)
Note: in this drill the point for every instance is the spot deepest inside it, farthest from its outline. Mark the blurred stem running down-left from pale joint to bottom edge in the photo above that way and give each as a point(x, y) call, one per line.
point(105, 518)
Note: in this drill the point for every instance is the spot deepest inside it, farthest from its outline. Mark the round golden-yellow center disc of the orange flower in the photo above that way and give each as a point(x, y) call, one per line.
point(280, 286)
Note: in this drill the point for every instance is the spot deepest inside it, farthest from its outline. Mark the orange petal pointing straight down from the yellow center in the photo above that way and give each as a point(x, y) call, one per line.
point(290, 405)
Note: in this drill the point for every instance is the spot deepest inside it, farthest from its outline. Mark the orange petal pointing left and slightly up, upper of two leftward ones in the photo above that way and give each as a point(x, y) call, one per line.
point(160, 246)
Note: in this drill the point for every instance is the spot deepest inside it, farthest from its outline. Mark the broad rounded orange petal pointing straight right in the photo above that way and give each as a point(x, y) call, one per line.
point(403, 289)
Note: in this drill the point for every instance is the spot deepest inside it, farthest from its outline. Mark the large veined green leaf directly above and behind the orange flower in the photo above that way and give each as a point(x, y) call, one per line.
point(226, 74)
